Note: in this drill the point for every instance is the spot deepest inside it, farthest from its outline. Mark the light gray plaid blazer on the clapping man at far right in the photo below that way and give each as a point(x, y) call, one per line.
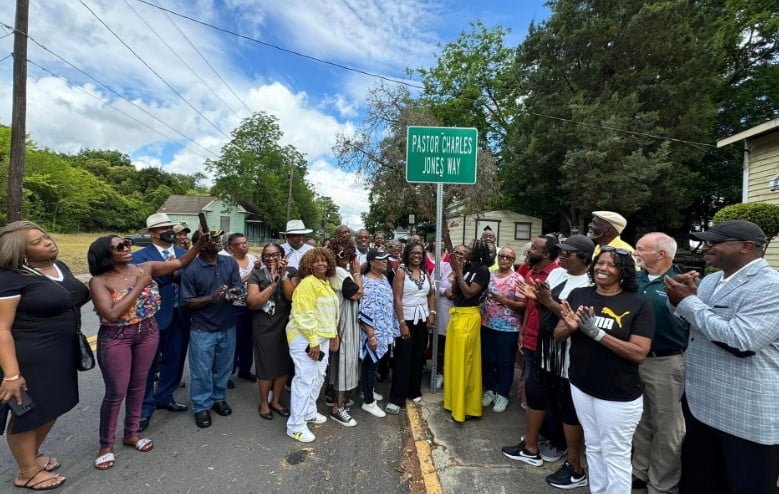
point(735, 389)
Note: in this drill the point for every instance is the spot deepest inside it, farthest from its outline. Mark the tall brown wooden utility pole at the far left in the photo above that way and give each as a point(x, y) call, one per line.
point(18, 113)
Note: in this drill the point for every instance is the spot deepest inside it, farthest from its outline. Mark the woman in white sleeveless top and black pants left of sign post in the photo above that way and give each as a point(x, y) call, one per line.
point(415, 309)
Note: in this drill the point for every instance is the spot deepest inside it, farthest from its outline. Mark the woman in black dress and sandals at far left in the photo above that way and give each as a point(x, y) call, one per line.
point(40, 302)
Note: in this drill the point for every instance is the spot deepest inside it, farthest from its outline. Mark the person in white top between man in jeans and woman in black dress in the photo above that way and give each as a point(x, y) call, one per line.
point(238, 247)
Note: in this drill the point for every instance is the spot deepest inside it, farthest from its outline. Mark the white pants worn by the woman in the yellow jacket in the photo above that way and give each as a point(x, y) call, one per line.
point(309, 376)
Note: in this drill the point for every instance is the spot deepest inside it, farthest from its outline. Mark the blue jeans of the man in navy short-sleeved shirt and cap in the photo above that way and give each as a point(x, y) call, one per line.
point(210, 365)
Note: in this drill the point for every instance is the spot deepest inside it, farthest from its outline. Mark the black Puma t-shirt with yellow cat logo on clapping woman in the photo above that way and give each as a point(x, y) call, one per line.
point(595, 369)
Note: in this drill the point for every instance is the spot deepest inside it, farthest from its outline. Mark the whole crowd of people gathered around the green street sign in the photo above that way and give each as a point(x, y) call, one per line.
point(664, 381)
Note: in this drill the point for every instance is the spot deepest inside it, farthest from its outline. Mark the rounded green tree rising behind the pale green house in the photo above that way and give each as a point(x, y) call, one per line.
point(254, 168)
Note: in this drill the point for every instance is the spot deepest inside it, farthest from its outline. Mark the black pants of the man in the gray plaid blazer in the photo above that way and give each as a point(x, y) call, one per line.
point(716, 462)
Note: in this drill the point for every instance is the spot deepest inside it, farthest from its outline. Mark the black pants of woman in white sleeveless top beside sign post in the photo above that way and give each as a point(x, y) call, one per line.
point(407, 365)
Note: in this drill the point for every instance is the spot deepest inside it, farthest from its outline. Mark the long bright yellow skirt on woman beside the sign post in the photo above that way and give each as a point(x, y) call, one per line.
point(462, 363)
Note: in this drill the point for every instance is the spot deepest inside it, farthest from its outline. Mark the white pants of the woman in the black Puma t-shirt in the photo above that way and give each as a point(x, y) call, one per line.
point(608, 434)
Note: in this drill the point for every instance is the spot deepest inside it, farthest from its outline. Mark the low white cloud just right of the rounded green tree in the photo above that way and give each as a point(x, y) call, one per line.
point(345, 189)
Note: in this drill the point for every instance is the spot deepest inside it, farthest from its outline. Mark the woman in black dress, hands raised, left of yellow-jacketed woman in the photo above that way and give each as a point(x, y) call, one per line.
point(269, 294)
